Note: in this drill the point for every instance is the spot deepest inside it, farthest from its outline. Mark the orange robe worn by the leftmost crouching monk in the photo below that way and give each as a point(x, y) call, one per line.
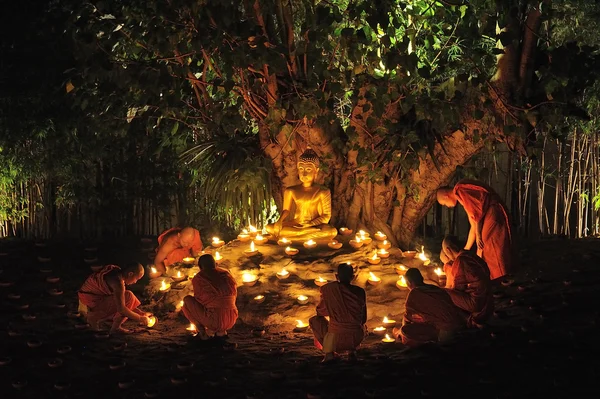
point(98, 297)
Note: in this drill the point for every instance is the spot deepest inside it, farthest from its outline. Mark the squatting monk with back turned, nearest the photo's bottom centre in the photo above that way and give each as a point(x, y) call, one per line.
point(346, 306)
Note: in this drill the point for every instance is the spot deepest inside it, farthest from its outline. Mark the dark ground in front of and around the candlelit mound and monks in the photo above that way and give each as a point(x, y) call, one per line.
point(541, 343)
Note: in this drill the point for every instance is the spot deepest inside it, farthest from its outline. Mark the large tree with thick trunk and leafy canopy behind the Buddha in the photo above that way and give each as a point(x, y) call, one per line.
point(393, 95)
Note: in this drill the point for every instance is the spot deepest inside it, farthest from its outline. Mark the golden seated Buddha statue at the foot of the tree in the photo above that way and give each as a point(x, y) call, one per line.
point(310, 204)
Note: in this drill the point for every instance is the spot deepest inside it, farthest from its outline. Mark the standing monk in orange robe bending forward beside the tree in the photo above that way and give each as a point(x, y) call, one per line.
point(490, 225)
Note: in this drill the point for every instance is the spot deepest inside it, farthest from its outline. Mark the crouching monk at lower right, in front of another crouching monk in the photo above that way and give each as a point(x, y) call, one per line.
point(430, 314)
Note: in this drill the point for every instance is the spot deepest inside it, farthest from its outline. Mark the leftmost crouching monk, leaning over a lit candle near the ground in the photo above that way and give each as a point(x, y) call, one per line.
point(103, 297)
